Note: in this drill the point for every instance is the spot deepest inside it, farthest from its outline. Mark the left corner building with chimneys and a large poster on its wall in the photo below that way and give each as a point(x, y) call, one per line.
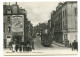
point(15, 23)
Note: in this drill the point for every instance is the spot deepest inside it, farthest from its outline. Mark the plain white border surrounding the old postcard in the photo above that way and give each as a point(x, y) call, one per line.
point(1, 23)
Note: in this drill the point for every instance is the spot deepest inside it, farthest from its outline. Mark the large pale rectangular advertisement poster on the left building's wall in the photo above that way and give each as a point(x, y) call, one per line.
point(17, 23)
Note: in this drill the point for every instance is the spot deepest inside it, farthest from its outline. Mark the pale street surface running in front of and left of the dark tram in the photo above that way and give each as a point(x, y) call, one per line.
point(39, 46)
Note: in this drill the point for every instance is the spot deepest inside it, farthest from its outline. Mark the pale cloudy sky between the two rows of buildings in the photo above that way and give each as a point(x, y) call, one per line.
point(38, 12)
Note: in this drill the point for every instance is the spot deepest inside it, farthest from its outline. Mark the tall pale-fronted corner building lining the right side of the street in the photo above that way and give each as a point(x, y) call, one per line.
point(64, 22)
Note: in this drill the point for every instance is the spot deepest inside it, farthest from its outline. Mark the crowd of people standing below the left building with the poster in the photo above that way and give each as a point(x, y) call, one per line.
point(21, 47)
